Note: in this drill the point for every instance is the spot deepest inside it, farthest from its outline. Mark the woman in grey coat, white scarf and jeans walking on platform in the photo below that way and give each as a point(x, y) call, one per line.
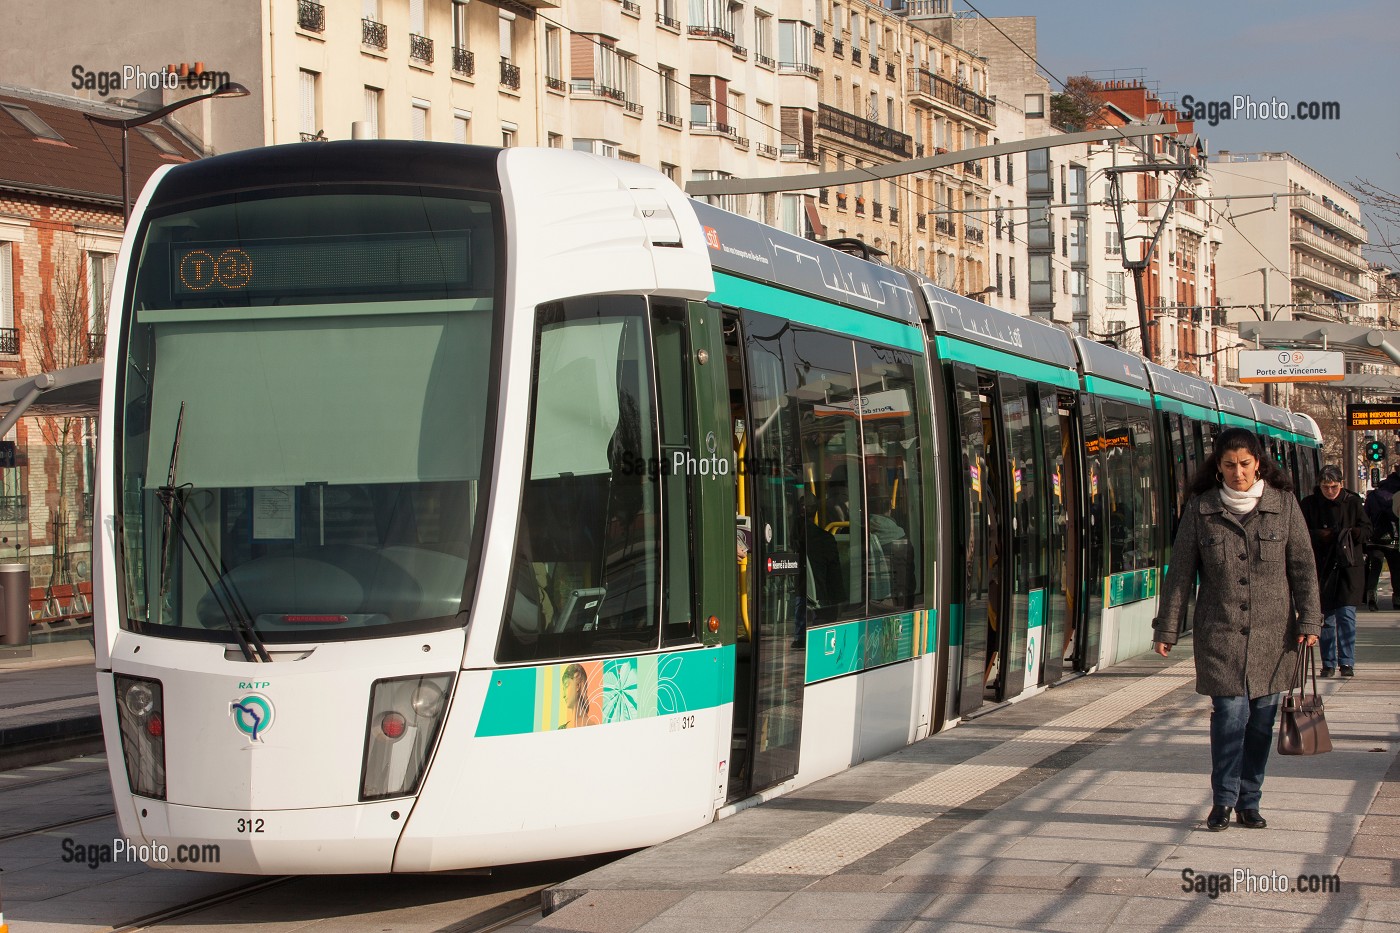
point(1244, 534)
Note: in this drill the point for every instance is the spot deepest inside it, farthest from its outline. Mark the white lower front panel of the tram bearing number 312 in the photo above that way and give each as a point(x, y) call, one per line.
point(349, 840)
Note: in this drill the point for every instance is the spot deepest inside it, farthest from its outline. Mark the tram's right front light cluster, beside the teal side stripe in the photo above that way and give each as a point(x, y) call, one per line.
point(405, 718)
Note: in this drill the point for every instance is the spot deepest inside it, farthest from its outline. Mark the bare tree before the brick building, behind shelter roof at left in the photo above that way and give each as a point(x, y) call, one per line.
point(62, 341)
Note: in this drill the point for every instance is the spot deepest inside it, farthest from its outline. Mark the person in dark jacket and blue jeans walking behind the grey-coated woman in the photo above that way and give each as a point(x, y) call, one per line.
point(1340, 529)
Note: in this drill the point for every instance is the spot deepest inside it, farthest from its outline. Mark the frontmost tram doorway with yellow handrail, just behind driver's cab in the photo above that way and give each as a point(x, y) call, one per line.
point(771, 554)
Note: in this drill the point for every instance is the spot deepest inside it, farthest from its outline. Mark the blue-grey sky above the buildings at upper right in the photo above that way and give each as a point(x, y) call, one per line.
point(1263, 50)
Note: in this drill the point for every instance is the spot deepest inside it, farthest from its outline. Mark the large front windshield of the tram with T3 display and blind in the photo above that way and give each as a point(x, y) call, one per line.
point(304, 414)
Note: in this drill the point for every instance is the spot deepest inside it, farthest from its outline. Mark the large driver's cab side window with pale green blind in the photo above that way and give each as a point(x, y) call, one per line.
point(586, 575)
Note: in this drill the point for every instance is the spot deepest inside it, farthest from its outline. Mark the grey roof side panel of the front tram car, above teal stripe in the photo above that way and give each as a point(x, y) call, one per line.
point(766, 254)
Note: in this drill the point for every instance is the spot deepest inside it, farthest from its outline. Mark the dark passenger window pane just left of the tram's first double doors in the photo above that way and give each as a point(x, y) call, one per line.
point(890, 393)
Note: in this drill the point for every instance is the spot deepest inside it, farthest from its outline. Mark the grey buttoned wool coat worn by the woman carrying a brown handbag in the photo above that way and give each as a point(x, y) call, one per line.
point(1259, 593)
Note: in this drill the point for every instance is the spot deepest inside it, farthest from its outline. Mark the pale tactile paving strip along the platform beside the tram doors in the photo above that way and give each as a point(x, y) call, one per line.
point(850, 838)
